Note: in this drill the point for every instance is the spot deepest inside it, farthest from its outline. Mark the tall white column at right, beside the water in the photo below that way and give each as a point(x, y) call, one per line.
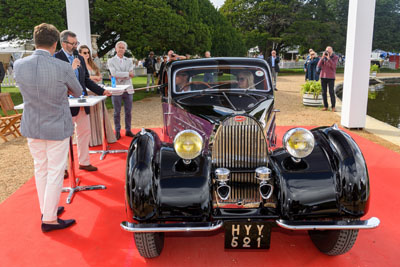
point(360, 28)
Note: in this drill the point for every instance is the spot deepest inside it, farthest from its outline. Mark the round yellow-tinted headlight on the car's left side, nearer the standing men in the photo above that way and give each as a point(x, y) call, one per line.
point(188, 144)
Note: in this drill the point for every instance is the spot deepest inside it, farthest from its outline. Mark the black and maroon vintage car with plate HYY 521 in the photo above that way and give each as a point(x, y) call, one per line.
point(217, 165)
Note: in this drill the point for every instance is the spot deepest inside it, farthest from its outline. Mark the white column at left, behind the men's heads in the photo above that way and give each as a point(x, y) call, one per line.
point(79, 20)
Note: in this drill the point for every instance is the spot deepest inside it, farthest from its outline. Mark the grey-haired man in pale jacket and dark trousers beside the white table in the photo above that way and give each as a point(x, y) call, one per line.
point(121, 68)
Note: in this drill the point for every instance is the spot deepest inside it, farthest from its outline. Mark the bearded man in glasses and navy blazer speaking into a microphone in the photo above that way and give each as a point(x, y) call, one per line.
point(80, 116)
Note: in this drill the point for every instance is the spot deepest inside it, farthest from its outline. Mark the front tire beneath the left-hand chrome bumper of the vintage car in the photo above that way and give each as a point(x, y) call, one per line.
point(149, 245)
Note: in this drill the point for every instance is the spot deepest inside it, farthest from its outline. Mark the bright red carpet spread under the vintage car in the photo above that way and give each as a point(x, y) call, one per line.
point(98, 240)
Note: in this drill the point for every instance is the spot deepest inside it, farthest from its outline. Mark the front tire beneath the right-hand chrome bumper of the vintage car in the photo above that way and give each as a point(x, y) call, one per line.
point(333, 242)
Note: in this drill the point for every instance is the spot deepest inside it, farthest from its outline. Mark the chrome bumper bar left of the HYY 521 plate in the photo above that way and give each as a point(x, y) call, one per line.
point(173, 227)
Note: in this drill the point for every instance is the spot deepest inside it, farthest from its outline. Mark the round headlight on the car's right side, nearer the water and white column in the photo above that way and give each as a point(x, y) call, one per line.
point(298, 142)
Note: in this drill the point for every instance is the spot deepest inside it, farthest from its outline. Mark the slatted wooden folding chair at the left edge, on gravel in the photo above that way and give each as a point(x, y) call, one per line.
point(9, 123)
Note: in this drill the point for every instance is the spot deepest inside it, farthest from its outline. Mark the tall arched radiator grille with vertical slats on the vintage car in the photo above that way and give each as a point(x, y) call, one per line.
point(240, 146)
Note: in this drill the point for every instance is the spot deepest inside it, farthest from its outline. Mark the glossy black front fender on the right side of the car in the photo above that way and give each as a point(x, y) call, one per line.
point(332, 181)
